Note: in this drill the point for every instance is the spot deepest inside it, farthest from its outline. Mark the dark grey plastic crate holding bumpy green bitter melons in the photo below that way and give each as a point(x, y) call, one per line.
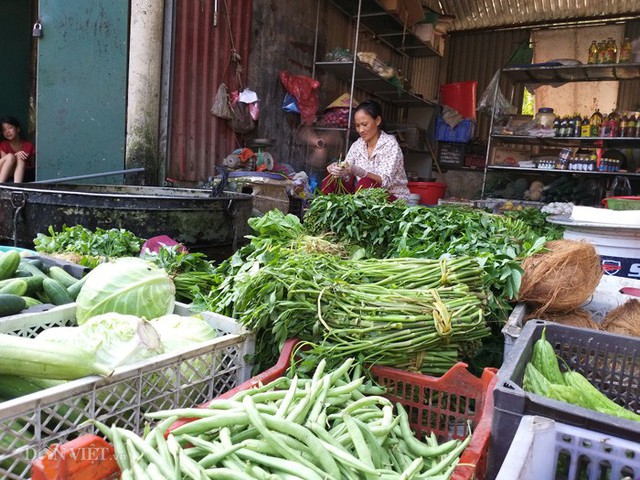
point(610, 362)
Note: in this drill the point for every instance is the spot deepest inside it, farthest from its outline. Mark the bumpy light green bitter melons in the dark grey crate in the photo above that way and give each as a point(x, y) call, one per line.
point(543, 376)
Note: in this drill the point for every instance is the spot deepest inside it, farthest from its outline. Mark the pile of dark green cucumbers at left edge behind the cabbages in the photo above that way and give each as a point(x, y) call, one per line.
point(27, 282)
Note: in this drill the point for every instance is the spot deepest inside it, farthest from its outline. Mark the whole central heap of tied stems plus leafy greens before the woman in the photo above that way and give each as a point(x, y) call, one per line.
point(367, 278)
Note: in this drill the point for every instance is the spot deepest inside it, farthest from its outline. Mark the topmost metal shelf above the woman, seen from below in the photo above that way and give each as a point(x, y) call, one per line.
point(386, 27)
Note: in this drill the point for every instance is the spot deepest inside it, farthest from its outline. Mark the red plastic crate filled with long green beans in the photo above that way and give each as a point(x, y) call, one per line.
point(440, 409)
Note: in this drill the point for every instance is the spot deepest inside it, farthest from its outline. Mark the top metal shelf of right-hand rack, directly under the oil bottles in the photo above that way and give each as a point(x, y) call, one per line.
point(556, 73)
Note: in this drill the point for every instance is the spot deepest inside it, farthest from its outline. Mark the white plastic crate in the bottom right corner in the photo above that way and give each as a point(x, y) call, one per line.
point(544, 449)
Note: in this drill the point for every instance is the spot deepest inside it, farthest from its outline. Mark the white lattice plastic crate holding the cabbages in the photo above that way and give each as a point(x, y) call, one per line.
point(173, 380)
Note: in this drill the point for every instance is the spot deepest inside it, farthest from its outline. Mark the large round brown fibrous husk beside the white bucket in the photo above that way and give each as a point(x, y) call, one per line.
point(561, 278)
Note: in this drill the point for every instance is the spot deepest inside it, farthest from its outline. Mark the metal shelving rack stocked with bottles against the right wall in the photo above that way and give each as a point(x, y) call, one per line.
point(544, 154)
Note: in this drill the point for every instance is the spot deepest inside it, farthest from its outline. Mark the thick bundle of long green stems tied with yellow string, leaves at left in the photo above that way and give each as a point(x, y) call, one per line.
point(405, 312)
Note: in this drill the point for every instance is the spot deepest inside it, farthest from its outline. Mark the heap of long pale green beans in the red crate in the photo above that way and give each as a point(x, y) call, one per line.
point(331, 426)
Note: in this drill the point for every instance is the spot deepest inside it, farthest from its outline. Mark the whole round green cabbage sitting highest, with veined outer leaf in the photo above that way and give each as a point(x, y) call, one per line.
point(128, 285)
